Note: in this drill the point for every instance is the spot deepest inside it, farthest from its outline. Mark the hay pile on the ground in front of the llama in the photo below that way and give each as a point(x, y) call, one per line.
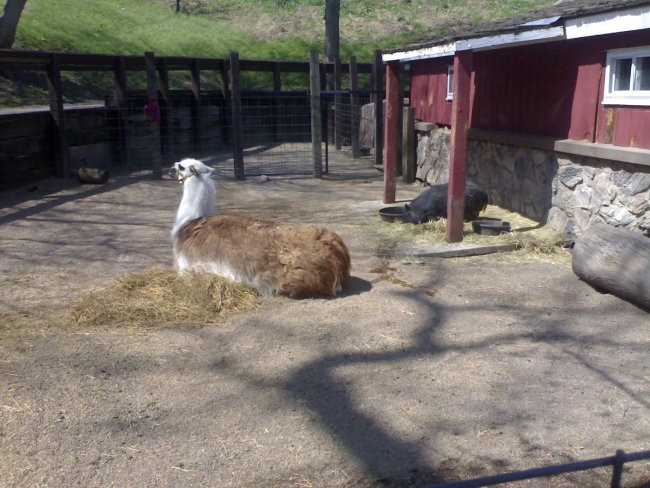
point(163, 297)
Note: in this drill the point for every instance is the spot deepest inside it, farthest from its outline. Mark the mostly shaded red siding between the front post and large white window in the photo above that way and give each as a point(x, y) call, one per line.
point(536, 90)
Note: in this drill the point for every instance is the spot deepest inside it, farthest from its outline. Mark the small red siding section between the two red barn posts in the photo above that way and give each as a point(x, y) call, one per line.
point(429, 90)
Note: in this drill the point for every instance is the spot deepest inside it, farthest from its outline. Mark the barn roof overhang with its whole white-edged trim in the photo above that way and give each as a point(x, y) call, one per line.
point(569, 19)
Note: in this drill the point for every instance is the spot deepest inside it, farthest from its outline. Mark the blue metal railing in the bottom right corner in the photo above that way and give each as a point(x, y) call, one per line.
point(617, 461)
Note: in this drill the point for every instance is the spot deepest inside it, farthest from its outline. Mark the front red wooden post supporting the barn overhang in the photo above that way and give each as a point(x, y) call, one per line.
point(458, 151)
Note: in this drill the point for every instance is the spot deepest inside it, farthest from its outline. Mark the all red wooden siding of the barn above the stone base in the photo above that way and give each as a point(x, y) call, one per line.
point(551, 89)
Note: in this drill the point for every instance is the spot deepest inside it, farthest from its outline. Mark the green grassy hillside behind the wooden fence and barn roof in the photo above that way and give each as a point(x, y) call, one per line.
point(257, 29)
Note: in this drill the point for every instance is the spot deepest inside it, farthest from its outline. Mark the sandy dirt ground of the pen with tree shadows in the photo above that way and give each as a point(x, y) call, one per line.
point(423, 371)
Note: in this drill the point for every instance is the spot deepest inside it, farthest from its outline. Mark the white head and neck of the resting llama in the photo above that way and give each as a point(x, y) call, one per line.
point(199, 191)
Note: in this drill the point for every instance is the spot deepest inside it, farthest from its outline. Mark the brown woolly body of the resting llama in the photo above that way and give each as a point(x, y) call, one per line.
point(295, 260)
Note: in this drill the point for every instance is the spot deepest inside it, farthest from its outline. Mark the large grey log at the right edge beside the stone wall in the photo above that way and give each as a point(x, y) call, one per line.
point(615, 260)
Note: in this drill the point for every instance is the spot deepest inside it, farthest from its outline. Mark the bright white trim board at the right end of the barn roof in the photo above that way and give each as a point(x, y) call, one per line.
point(609, 23)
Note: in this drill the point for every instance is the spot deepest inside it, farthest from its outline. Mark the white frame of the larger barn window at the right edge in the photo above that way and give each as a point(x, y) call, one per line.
point(625, 97)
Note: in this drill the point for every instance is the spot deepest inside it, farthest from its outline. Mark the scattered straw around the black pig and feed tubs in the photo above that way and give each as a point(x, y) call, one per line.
point(532, 239)
